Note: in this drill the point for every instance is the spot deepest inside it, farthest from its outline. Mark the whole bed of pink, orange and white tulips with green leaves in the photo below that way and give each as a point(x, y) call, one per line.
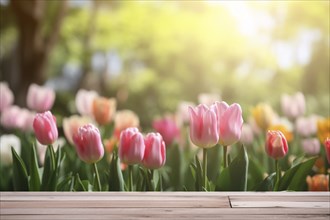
point(164, 159)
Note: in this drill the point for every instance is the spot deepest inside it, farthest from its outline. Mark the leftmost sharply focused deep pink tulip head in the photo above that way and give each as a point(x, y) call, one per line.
point(45, 128)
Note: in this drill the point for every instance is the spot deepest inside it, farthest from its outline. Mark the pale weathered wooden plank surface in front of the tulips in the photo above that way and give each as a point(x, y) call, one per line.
point(165, 205)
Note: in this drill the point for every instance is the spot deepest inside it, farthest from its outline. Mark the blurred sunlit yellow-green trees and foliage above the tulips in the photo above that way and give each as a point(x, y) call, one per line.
point(151, 55)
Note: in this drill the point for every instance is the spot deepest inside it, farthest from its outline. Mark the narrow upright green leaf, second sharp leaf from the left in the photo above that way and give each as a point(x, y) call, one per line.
point(34, 181)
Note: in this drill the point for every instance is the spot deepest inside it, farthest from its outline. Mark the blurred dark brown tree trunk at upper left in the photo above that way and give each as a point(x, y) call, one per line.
point(38, 23)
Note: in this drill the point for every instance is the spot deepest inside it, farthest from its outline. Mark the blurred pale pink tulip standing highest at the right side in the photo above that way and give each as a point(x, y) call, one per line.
point(293, 106)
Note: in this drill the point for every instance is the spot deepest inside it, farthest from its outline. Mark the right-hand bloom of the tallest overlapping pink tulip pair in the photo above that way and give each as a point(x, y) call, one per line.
point(230, 122)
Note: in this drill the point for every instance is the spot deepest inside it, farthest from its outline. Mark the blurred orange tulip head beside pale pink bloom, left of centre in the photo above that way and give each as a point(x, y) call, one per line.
point(103, 110)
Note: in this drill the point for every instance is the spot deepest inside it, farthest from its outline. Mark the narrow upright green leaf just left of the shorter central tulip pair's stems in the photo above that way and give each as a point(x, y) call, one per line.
point(116, 180)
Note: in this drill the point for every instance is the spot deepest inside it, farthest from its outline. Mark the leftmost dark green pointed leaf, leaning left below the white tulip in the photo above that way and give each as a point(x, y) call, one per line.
point(20, 177)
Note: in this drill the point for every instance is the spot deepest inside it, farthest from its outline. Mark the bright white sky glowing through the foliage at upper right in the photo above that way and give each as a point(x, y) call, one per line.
point(250, 21)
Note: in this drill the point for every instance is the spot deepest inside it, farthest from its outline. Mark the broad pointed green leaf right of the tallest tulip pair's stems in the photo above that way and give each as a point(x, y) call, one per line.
point(234, 177)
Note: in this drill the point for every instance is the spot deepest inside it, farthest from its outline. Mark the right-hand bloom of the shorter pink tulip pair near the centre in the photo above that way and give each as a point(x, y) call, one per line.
point(155, 151)
